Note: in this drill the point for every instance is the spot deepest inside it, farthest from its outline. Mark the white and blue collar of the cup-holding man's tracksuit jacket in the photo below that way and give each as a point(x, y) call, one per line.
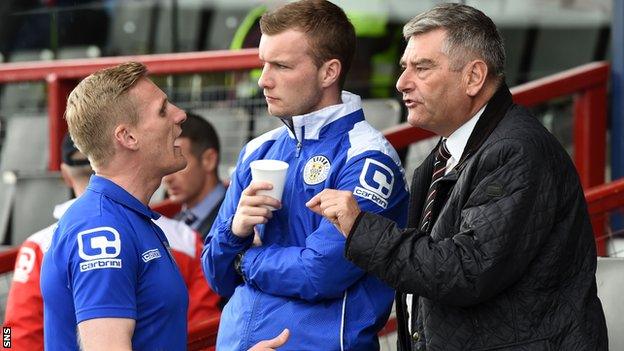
point(311, 125)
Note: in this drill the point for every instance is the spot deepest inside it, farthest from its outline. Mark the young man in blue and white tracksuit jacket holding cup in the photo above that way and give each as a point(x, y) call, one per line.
point(294, 275)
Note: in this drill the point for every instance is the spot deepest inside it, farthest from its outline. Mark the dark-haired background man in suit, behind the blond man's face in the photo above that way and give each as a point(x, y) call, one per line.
point(197, 187)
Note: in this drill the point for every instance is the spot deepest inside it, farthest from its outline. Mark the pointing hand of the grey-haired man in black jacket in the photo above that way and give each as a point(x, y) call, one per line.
point(338, 206)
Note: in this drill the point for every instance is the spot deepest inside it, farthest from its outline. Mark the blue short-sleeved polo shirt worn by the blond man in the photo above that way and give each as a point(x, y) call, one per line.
point(108, 259)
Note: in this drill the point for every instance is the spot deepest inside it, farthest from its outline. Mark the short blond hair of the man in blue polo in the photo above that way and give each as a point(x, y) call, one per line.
point(98, 104)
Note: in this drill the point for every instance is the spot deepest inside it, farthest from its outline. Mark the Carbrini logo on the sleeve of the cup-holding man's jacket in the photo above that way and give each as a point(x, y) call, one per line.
point(376, 182)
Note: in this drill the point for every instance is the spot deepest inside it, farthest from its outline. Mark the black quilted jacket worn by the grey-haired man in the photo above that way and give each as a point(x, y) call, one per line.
point(510, 262)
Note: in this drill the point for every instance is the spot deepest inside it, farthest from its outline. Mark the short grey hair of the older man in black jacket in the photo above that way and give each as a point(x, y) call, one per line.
point(469, 34)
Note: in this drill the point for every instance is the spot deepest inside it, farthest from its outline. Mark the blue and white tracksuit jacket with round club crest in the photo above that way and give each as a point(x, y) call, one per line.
point(299, 278)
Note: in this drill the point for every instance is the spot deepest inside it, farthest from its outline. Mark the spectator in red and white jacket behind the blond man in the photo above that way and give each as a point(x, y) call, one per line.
point(24, 311)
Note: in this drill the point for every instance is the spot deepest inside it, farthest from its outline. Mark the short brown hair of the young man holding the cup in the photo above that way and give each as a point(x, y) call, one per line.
point(330, 33)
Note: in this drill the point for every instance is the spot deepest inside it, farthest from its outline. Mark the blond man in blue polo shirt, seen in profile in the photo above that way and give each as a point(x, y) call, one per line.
point(105, 275)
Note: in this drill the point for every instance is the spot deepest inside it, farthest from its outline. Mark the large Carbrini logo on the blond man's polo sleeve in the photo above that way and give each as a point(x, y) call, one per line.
point(99, 247)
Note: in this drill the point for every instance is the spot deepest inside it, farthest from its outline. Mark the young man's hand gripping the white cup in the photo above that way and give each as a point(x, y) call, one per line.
point(252, 209)
